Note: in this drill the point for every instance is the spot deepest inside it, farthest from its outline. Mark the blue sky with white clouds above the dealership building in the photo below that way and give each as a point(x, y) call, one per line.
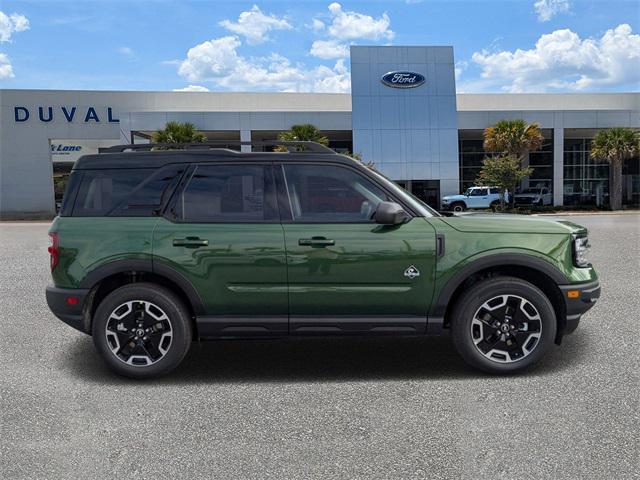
point(506, 46)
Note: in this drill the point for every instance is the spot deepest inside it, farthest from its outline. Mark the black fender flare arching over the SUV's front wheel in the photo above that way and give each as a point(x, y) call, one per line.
point(440, 304)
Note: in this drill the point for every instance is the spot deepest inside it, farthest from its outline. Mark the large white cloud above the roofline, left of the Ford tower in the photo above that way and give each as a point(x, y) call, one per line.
point(218, 61)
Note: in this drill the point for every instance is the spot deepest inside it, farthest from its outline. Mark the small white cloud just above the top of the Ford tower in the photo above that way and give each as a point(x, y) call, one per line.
point(347, 25)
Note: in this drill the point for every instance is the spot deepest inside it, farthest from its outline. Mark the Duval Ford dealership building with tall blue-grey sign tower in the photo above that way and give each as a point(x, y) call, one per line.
point(412, 125)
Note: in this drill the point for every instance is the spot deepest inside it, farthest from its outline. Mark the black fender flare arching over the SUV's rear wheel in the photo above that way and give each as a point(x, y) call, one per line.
point(145, 266)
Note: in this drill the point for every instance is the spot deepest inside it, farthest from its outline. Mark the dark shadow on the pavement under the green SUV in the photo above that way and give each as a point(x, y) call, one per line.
point(312, 360)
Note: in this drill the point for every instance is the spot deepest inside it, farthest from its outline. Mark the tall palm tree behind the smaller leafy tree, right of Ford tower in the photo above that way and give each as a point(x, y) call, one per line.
point(513, 139)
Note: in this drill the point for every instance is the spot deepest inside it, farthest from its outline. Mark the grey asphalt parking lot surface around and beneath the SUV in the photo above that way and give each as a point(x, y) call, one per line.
point(321, 408)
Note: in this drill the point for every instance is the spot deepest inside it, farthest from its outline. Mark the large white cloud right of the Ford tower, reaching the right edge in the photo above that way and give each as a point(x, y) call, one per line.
point(562, 60)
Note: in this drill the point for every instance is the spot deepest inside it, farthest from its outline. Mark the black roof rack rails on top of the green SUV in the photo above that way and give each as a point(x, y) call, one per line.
point(292, 146)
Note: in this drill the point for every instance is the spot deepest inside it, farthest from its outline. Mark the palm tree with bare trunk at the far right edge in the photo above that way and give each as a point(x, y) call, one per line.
point(615, 145)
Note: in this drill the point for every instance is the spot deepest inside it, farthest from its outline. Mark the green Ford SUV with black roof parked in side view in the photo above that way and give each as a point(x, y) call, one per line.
point(156, 248)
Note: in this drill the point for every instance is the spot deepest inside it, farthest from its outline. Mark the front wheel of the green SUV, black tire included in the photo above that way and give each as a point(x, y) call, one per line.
point(467, 329)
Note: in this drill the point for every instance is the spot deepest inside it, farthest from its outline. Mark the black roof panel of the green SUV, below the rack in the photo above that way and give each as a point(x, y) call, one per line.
point(159, 158)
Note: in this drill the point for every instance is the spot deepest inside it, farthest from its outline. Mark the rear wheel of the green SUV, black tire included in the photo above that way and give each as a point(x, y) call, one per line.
point(170, 320)
